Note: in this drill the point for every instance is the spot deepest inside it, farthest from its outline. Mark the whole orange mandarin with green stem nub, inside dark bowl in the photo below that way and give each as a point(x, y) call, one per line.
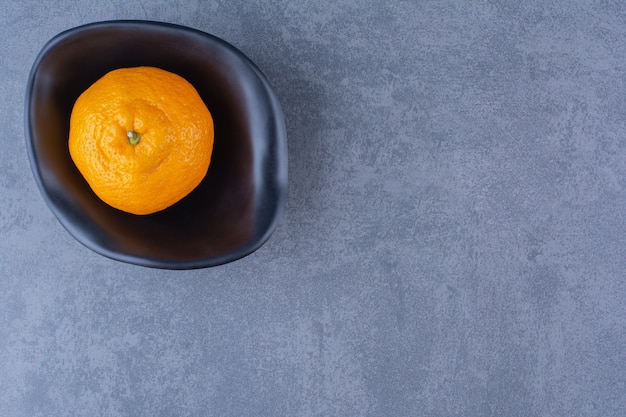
point(173, 127)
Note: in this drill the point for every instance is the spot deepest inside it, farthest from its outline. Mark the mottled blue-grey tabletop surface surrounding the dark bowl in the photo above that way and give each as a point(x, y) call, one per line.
point(454, 242)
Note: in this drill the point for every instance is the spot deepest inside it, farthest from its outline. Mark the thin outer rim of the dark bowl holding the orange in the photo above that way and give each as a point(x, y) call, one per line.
point(280, 144)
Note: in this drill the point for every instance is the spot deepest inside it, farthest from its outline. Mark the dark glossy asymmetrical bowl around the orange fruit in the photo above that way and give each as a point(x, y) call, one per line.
point(238, 204)
